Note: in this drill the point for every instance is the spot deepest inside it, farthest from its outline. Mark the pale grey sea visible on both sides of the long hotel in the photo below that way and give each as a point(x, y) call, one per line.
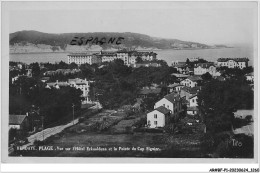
point(168, 55)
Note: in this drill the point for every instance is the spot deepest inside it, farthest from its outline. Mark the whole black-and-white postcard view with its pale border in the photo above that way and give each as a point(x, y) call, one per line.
point(130, 79)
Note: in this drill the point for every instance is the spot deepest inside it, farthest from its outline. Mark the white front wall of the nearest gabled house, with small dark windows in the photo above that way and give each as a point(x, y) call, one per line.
point(155, 119)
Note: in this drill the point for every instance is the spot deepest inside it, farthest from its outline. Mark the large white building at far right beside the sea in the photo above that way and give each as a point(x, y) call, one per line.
point(233, 62)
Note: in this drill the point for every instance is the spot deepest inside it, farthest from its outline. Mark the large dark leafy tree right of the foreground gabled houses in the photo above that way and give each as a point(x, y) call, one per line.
point(218, 100)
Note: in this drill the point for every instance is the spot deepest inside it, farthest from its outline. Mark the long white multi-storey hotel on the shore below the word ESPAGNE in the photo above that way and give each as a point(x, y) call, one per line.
point(129, 57)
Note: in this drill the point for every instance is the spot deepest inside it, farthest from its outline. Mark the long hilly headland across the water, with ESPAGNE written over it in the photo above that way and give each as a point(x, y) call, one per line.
point(34, 41)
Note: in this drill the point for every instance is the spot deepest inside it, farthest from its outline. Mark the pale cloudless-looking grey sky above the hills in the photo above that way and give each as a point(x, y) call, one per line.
point(207, 22)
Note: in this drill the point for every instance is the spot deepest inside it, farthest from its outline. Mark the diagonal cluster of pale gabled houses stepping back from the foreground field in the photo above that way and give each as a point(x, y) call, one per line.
point(171, 105)
